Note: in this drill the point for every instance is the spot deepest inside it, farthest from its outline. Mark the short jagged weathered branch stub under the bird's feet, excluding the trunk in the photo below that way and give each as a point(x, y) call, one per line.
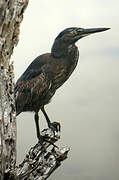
point(42, 160)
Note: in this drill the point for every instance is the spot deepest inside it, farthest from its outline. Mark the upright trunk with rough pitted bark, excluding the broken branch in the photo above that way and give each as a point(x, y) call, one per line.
point(11, 15)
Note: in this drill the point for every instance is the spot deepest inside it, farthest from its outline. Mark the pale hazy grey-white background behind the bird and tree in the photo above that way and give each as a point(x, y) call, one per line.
point(87, 104)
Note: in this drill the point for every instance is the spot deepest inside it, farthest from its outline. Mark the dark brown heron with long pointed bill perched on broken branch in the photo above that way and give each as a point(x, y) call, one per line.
point(48, 72)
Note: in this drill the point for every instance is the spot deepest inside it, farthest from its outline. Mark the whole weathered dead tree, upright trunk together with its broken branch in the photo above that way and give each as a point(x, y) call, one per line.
point(39, 162)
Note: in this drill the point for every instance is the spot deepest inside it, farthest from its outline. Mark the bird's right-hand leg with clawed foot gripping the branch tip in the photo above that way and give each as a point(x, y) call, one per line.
point(55, 126)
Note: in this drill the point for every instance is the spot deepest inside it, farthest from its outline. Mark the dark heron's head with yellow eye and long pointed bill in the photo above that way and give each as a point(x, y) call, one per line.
point(70, 36)
